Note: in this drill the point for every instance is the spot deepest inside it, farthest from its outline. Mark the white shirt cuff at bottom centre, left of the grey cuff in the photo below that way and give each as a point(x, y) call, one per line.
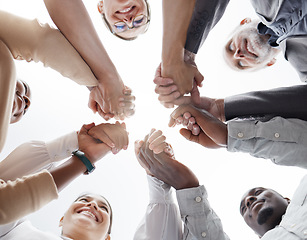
point(159, 192)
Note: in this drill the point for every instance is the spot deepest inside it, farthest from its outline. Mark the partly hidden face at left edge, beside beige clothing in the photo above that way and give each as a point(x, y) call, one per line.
point(22, 101)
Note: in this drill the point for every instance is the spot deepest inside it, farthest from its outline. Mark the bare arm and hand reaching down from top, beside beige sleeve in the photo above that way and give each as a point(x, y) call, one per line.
point(72, 18)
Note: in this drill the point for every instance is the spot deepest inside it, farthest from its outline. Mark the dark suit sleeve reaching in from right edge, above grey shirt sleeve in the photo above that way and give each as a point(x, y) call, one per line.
point(285, 102)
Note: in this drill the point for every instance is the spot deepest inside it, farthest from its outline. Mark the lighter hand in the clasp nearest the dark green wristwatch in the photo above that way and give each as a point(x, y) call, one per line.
point(114, 135)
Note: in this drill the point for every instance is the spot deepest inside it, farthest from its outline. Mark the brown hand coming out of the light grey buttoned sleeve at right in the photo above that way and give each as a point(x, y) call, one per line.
point(213, 133)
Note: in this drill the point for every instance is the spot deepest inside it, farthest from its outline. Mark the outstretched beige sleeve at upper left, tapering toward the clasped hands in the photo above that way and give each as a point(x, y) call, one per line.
point(30, 40)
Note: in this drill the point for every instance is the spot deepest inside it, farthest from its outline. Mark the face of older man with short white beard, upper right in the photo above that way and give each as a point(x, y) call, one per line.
point(249, 50)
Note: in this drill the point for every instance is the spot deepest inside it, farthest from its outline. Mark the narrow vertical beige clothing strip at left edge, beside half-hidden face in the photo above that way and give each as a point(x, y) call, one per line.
point(7, 90)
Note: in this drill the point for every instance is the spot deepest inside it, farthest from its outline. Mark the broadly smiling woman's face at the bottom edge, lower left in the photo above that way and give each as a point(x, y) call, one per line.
point(87, 218)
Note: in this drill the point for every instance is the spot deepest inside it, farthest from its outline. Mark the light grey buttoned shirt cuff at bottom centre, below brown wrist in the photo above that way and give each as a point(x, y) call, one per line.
point(193, 201)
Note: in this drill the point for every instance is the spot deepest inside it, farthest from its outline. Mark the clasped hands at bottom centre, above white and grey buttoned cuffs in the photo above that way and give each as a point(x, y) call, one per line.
point(163, 165)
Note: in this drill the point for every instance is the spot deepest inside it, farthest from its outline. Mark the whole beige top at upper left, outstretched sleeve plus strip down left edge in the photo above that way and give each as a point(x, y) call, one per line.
point(29, 40)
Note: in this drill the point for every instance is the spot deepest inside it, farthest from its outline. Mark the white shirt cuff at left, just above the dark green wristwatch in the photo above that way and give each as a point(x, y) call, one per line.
point(62, 147)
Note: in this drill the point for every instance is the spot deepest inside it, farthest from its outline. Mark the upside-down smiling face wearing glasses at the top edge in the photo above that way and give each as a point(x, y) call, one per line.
point(126, 18)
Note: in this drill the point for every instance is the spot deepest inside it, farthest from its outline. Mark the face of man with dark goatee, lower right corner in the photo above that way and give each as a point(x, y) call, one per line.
point(262, 209)
